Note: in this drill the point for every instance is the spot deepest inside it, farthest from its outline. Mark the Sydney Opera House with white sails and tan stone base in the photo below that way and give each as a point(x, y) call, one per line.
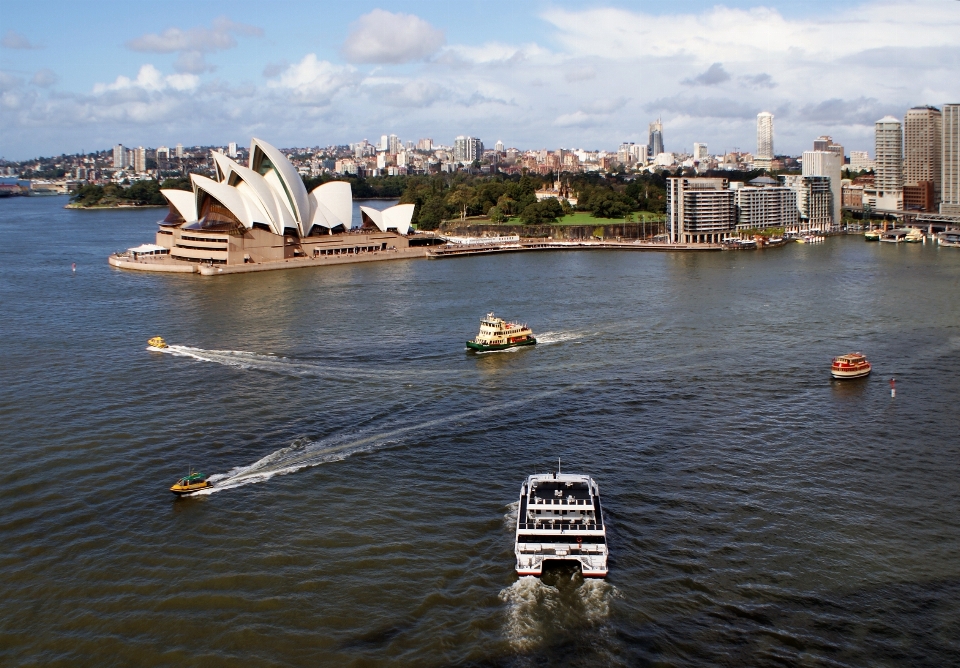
point(262, 217)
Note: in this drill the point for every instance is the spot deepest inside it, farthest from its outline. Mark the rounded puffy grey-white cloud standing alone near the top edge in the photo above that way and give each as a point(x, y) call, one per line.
point(385, 37)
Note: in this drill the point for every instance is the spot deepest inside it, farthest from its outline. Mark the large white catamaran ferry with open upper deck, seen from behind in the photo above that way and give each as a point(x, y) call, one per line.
point(559, 518)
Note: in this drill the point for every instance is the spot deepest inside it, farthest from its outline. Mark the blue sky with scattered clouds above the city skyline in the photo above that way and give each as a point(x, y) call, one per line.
point(85, 76)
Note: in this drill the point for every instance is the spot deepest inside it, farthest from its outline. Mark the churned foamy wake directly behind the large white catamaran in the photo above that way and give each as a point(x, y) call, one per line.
point(536, 611)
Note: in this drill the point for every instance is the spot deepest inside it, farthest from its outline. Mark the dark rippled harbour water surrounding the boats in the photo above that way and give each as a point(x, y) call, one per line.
point(758, 513)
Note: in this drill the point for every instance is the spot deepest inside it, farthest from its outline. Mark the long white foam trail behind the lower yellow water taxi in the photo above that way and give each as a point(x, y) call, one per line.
point(304, 453)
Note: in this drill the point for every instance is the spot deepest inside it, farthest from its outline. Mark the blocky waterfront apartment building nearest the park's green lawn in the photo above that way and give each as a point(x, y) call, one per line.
point(700, 210)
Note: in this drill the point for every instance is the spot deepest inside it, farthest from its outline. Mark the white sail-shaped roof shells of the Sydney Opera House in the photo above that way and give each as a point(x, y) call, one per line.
point(270, 194)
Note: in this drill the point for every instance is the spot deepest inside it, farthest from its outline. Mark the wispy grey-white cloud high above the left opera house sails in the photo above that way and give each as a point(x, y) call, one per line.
point(192, 44)
